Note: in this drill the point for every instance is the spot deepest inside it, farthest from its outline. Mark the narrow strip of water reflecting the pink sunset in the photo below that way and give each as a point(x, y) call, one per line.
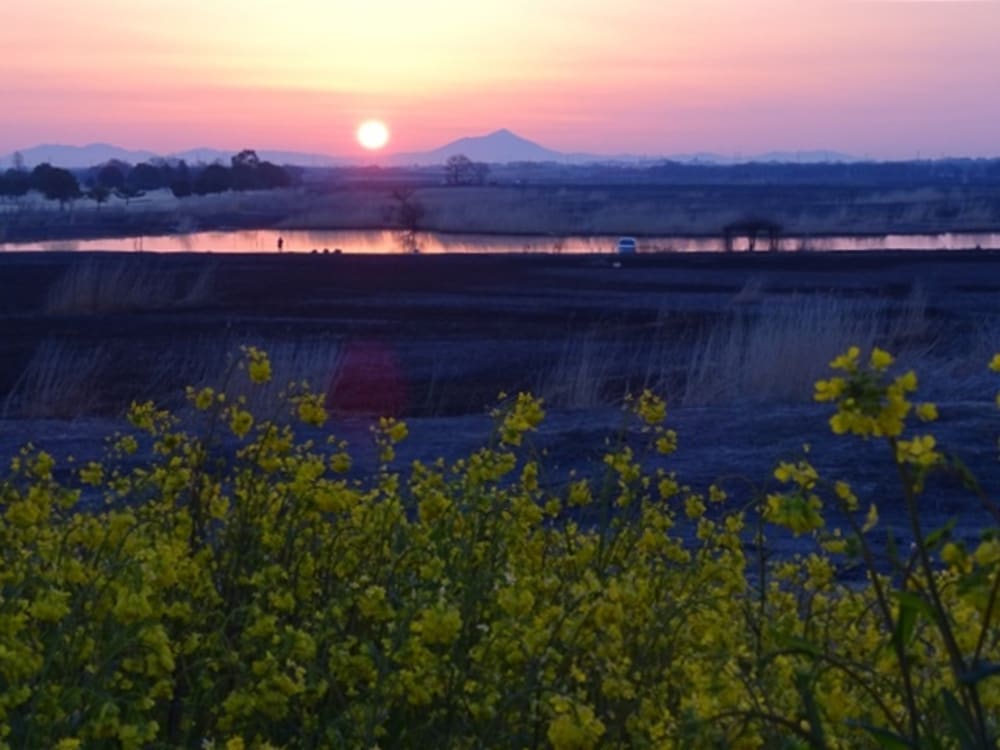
point(392, 241)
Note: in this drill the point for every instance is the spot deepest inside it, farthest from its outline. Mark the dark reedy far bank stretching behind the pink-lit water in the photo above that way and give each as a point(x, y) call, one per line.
point(591, 210)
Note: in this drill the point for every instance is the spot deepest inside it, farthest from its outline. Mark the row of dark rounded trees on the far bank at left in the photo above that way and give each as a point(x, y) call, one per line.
point(246, 171)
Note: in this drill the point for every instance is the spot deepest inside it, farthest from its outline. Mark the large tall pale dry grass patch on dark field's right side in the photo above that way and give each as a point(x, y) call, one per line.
point(763, 350)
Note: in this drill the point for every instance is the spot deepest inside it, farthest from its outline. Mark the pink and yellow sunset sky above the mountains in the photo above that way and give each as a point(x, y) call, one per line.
point(871, 78)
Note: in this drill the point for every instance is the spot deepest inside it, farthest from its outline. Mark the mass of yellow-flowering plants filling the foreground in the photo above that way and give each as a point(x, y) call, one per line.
point(269, 595)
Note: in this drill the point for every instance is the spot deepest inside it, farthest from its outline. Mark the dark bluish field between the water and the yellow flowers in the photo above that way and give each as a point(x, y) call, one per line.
point(734, 343)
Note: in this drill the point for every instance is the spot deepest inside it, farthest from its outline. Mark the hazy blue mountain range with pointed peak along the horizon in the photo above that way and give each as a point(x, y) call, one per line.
point(498, 147)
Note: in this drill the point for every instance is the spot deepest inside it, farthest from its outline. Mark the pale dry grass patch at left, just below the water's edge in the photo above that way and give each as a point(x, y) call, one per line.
point(105, 285)
